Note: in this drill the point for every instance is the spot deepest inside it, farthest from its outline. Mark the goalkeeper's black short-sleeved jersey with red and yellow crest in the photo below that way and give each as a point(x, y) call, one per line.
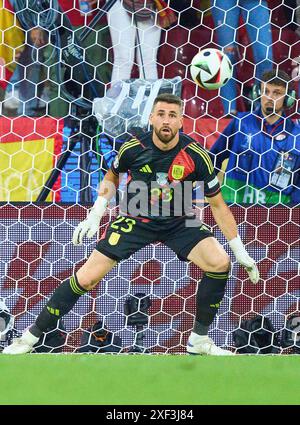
point(160, 183)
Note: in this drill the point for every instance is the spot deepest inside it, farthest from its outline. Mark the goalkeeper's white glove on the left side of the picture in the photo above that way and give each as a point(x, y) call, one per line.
point(90, 225)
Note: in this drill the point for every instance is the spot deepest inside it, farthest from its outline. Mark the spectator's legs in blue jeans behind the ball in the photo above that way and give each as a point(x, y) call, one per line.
point(256, 17)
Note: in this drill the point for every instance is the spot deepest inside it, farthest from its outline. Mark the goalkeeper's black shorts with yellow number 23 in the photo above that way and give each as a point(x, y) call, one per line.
point(126, 235)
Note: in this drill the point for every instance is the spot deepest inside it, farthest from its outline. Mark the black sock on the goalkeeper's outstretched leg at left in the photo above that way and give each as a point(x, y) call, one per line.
point(60, 303)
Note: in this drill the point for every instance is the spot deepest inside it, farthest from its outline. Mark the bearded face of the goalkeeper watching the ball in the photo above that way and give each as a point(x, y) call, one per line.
point(166, 120)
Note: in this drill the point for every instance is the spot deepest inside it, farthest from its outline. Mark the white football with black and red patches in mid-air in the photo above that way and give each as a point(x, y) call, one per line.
point(211, 69)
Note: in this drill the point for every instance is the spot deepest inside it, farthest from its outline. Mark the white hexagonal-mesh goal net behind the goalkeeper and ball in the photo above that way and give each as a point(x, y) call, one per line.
point(63, 121)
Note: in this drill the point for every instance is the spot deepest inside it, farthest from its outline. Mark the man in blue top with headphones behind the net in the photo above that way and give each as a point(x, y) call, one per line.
point(262, 148)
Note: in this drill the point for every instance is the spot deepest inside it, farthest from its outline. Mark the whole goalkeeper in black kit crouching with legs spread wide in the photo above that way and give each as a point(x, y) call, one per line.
point(163, 167)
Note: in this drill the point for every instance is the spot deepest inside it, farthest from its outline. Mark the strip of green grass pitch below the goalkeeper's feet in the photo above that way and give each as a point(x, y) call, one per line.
point(38, 379)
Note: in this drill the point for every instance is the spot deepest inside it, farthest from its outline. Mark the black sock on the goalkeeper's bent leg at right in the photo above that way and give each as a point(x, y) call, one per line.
point(210, 293)
